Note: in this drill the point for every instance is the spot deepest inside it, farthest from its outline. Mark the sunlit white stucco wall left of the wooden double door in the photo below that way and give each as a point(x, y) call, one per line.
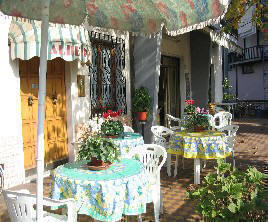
point(11, 142)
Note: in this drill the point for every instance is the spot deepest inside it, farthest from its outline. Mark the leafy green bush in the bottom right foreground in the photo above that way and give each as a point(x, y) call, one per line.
point(231, 195)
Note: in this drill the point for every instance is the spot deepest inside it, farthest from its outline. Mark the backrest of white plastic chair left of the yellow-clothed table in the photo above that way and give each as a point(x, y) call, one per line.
point(159, 132)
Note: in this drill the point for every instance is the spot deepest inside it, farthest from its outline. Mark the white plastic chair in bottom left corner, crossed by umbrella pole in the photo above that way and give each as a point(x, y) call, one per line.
point(20, 206)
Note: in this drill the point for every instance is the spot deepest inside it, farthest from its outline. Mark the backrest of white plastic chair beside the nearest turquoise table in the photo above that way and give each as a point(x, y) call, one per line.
point(153, 157)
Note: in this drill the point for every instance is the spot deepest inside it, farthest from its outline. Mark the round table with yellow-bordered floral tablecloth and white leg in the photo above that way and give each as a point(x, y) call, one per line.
point(205, 145)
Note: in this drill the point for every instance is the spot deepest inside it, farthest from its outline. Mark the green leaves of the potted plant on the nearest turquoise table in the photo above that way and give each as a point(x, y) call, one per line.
point(101, 148)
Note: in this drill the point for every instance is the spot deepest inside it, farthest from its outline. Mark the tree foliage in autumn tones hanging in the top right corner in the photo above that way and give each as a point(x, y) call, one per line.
point(238, 8)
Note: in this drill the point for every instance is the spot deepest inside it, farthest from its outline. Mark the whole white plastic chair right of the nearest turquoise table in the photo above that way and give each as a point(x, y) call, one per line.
point(153, 157)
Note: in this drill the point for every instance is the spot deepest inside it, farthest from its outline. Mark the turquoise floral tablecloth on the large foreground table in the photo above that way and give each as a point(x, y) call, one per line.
point(107, 194)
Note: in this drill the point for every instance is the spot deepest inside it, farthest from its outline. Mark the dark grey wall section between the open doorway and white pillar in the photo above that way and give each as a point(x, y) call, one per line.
point(200, 62)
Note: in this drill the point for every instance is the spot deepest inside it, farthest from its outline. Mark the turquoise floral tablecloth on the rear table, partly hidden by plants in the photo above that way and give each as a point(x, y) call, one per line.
point(128, 141)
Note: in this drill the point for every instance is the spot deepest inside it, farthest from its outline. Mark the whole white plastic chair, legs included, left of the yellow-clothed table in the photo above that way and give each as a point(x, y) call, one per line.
point(158, 138)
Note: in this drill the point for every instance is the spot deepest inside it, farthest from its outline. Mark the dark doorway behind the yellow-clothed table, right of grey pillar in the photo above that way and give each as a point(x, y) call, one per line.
point(169, 88)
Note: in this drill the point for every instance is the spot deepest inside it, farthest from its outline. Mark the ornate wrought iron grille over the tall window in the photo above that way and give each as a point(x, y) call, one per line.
point(107, 83)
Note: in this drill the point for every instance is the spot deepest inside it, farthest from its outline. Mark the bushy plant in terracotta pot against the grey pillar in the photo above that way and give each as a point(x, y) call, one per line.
point(142, 103)
